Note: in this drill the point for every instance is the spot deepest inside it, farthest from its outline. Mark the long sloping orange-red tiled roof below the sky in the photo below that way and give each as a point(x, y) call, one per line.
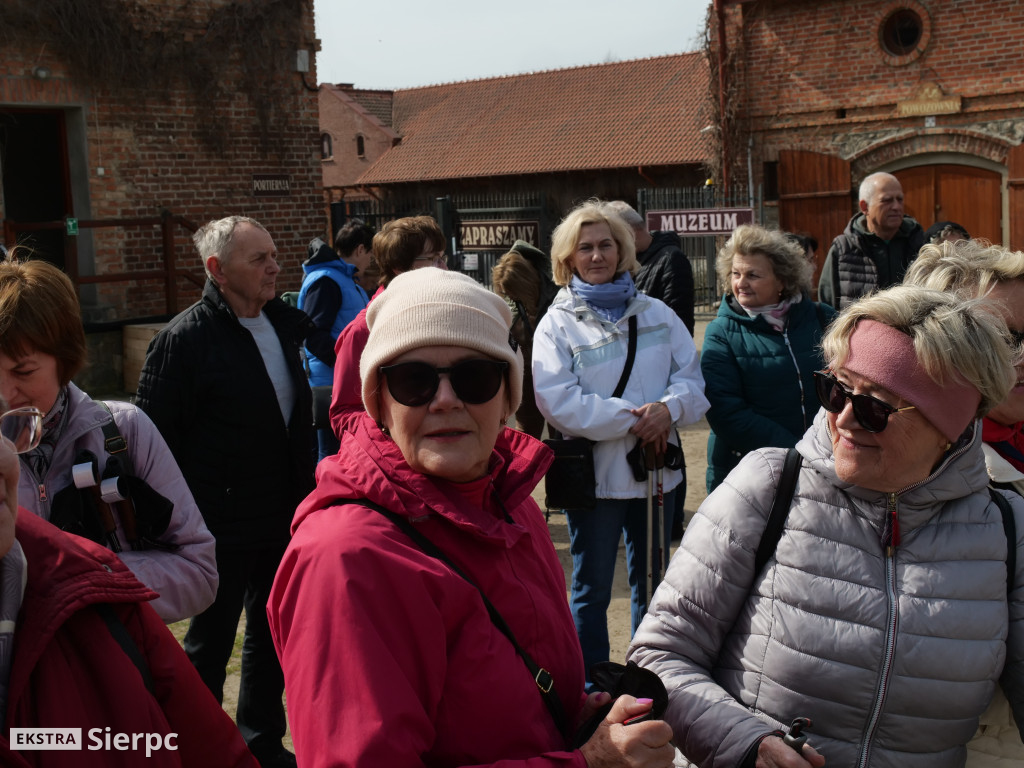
point(648, 112)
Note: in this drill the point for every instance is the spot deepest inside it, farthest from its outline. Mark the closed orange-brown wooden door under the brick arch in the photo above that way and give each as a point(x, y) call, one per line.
point(971, 197)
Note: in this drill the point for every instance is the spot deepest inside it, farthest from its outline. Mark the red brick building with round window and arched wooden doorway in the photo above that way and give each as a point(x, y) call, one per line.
point(815, 97)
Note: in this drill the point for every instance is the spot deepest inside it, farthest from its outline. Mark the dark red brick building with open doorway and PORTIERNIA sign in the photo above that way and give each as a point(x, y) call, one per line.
point(121, 116)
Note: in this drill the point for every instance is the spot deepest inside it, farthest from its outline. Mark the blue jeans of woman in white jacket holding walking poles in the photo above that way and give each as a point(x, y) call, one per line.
point(594, 537)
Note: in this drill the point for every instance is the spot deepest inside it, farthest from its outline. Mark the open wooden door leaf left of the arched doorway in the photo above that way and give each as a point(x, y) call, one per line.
point(815, 197)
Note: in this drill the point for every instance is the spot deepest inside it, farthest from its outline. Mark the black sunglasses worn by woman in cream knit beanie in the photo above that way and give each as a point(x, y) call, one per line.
point(475, 381)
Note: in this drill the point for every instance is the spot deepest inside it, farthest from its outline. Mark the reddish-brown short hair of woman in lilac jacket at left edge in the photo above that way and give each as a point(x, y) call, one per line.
point(39, 313)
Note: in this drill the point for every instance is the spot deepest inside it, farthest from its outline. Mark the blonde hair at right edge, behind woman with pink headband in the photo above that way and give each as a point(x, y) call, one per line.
point(968, 268)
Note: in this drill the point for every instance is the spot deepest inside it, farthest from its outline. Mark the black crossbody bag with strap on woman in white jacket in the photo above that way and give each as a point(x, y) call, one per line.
point(571, 483)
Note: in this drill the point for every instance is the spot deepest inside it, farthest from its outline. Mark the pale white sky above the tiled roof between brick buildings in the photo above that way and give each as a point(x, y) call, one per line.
point(406, 44)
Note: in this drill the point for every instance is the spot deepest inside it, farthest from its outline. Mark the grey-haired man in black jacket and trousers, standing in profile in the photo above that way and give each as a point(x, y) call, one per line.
point(225, 383)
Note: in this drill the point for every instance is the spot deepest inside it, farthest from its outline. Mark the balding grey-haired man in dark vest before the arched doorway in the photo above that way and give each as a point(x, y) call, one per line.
point(876, 248)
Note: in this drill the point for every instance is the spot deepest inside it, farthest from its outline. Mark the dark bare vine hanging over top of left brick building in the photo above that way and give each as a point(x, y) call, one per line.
point(135, 51)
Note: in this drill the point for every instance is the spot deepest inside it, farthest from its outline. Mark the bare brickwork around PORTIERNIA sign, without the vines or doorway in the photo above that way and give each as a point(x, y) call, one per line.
point(150, 151)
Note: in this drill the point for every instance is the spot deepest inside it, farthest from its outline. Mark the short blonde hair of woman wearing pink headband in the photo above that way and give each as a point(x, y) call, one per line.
point(953, 336)
